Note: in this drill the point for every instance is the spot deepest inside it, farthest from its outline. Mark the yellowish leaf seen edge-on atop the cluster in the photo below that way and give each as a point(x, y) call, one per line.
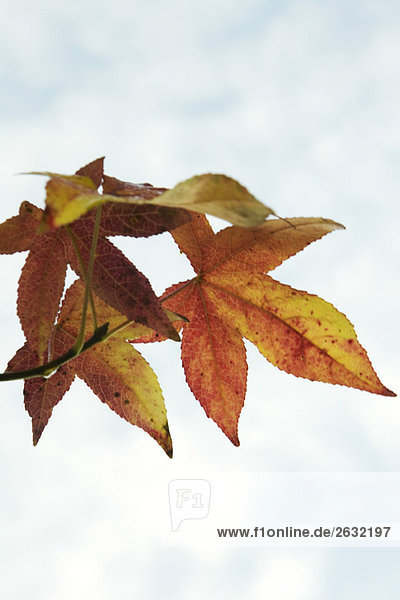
point(69, 197)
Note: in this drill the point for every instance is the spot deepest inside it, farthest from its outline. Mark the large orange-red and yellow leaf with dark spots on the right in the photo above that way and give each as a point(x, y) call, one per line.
point(232, 297)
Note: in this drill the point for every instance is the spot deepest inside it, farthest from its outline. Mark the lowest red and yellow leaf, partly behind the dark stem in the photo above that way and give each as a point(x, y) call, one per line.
point(113, 369)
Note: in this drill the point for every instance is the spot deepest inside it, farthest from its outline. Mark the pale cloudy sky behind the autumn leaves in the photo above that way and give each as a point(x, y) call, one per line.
point(299, 102)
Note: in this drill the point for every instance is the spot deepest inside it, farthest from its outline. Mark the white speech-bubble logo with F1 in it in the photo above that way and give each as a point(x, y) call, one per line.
point(188, 499)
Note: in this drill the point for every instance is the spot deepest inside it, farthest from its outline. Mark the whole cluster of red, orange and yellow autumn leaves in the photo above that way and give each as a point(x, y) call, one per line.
point(90, 330)
